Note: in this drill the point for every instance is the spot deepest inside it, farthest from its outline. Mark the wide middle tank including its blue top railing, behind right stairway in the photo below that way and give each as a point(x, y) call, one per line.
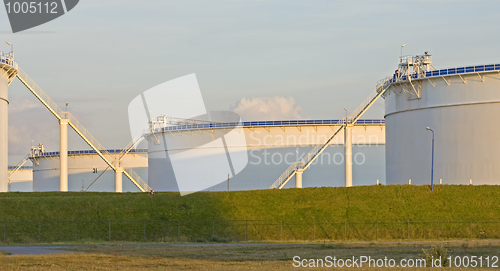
point(271, 146)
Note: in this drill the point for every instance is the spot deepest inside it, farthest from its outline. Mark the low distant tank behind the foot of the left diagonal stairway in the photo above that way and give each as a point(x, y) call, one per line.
point(85, 167)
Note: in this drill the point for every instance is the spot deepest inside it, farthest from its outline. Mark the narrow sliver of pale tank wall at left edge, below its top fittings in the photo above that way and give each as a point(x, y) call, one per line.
point(4, 125)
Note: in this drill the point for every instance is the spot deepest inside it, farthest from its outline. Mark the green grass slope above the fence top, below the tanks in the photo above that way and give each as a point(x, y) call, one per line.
point(393, 202)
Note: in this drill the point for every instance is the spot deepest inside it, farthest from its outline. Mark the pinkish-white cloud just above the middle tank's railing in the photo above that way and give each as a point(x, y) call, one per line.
point(268, 108)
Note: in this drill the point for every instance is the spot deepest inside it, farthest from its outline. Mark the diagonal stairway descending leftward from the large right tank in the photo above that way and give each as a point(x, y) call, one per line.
point(355, 115)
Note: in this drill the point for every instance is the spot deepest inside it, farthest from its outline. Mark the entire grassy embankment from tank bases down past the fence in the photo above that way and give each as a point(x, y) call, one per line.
point(289, 214)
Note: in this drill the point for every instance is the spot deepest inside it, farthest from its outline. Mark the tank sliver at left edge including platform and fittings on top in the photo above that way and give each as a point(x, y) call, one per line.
point(8, 70)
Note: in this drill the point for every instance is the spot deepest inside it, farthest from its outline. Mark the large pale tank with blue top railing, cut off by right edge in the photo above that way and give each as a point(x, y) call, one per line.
point(461, 106)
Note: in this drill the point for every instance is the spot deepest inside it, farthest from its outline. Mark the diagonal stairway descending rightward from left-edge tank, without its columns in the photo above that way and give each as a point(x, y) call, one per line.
point(78, 127)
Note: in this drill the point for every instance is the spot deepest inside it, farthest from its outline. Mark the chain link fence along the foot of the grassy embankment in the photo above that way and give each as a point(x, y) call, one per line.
point(28, 232)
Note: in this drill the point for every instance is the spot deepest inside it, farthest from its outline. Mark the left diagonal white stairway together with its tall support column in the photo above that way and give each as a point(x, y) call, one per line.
point(79, 129)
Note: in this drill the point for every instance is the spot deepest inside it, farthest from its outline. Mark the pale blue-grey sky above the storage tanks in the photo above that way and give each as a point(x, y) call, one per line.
point(326, 55)
